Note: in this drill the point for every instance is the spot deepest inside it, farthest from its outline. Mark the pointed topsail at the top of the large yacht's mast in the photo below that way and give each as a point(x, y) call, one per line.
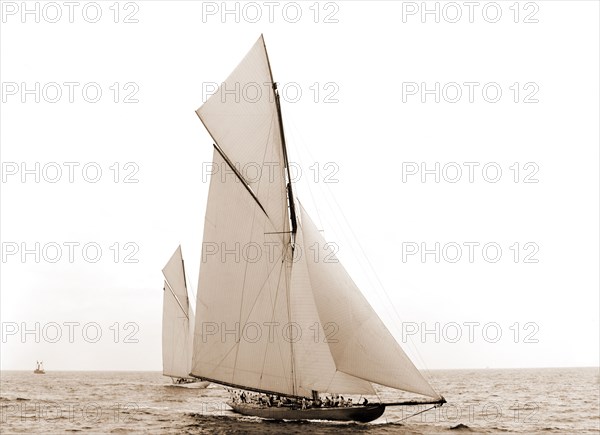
point(242, 119)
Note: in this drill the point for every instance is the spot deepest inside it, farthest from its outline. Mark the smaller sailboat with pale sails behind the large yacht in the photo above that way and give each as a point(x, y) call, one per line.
point(178, 323)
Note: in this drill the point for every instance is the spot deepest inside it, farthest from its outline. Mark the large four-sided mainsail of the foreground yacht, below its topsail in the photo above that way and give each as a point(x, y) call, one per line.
point(240, 284)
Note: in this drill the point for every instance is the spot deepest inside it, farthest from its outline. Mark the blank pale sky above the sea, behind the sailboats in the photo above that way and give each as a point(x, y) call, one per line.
point(451, 154)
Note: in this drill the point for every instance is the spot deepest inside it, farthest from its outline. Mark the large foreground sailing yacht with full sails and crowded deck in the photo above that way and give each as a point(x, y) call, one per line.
point(246, 303)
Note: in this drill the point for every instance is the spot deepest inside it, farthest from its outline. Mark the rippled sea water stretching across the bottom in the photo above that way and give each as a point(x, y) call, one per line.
point(524, 401)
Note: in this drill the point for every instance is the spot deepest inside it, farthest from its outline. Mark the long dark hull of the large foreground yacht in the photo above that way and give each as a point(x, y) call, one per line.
point(359, 413)
